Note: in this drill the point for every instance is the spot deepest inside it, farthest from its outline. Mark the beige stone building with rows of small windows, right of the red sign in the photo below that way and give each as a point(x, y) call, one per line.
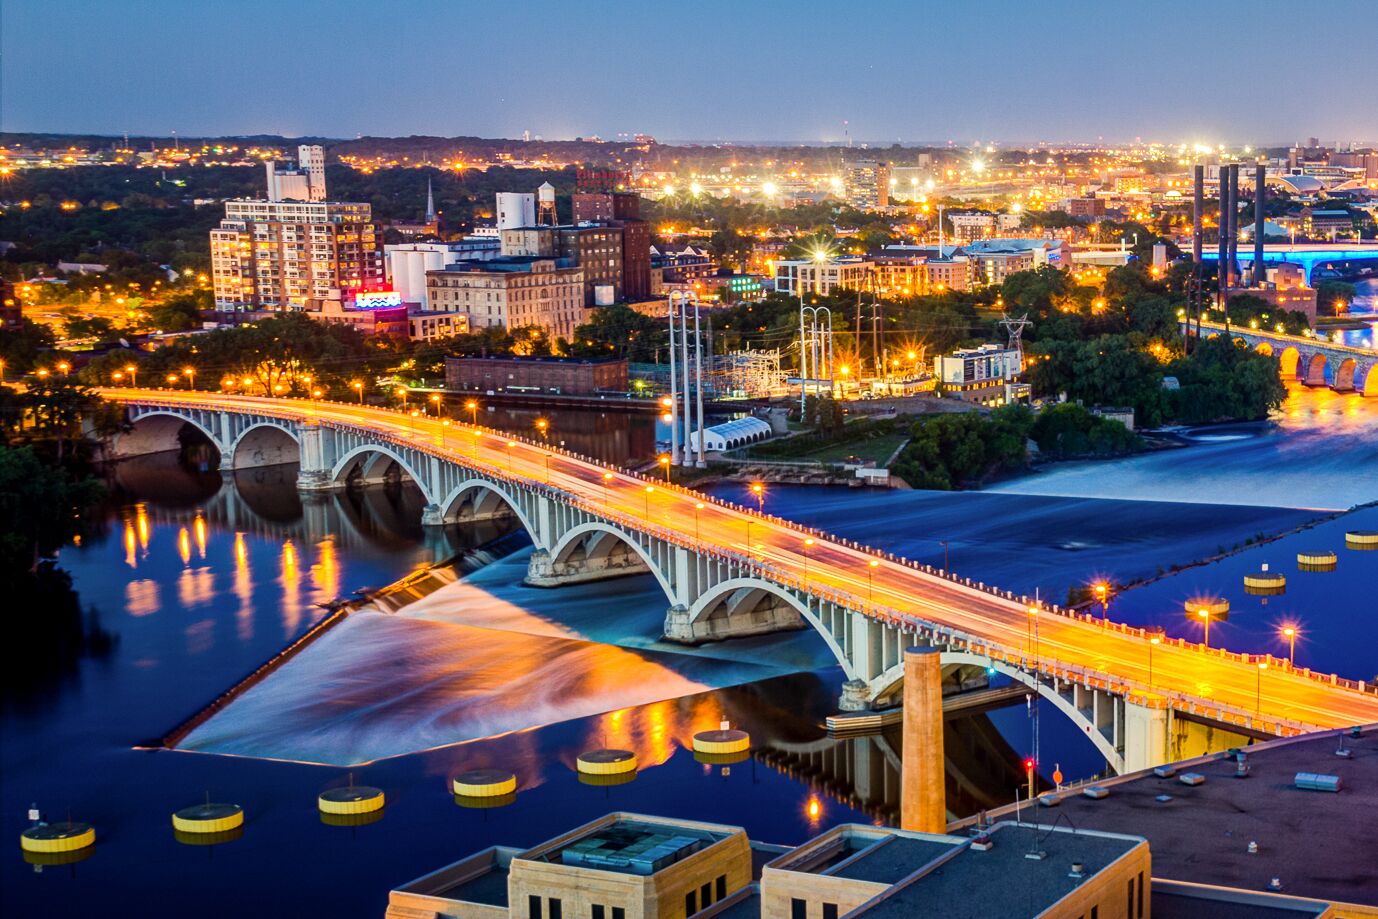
point(512, 293)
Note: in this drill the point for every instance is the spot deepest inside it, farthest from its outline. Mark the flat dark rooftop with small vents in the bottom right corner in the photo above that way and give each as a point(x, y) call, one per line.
point(1318, 844)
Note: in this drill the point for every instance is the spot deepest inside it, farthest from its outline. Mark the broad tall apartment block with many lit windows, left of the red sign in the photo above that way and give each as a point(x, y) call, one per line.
point(279, 256)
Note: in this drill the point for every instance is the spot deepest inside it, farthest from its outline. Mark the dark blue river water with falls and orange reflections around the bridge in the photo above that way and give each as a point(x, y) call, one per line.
point(202, 579)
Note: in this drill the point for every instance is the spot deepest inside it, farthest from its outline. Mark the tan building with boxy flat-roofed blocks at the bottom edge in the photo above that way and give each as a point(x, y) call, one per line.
point(635, 867)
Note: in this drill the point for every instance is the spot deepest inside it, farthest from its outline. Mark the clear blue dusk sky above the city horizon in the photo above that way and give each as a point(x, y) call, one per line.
point(1179, 71)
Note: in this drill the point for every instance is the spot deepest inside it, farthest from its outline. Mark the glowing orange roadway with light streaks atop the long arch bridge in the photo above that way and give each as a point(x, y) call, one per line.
point(1176, 674)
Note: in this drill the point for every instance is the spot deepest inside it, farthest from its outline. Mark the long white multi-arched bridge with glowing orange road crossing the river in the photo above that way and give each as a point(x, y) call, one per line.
point(728, 571)
